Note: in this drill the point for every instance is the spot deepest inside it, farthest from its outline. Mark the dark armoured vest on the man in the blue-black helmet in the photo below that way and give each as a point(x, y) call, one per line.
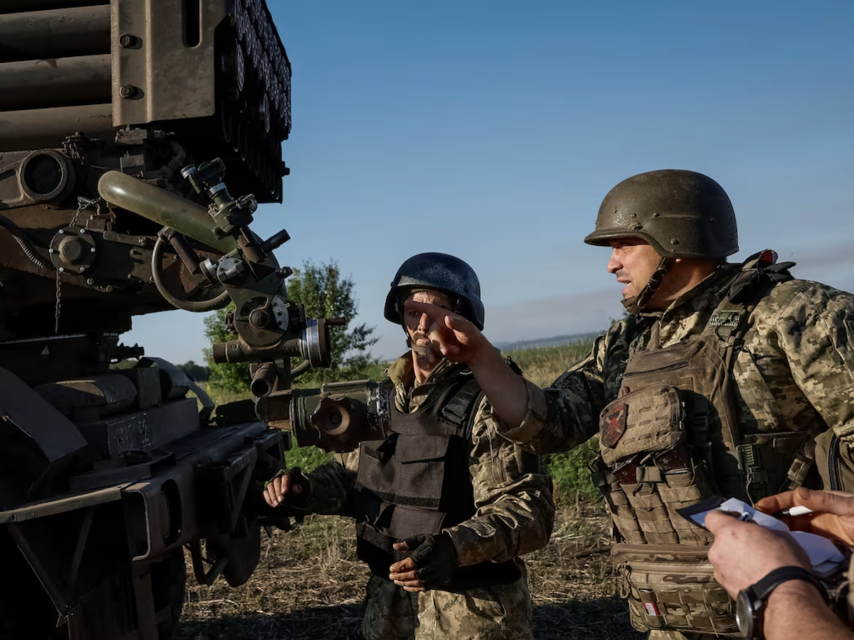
point(417, 481)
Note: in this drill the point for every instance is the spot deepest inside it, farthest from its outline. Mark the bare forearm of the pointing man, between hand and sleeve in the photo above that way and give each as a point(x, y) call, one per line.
point(505, 390)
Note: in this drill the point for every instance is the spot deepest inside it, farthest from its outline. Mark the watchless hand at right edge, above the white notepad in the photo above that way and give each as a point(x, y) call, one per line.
point(832, 517)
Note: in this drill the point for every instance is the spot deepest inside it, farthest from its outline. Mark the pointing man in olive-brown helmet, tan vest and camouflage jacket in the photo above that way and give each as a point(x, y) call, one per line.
point(717, 382)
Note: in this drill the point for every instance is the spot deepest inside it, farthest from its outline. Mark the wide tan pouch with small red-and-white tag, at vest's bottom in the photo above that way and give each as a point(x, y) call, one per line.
point(674, 588)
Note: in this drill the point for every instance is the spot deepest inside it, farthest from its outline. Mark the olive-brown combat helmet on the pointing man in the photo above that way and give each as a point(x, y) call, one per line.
point(682, 214)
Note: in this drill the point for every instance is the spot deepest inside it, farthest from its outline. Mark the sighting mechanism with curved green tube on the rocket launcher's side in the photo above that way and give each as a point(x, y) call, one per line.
point(269, 327)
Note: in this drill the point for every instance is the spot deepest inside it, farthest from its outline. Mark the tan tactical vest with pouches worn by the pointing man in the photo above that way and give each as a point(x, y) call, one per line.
point(671, 439)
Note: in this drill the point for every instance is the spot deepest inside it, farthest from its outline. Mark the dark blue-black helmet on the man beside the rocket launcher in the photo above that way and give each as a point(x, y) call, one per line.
point(446, 274)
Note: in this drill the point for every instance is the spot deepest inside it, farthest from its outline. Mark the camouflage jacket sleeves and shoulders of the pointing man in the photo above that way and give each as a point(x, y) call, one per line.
point(795, 369)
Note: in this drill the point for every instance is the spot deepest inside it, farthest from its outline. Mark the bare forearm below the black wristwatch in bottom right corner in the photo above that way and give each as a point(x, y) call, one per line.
point(796, 611)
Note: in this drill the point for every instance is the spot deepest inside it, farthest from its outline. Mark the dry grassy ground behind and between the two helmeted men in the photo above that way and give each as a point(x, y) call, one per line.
point(309, 583)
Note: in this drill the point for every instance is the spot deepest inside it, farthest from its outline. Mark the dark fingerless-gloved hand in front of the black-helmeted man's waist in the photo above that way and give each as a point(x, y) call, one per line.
point(430, 566)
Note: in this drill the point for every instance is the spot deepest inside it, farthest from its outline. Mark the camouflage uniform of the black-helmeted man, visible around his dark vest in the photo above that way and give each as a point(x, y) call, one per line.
point(514, 516)
